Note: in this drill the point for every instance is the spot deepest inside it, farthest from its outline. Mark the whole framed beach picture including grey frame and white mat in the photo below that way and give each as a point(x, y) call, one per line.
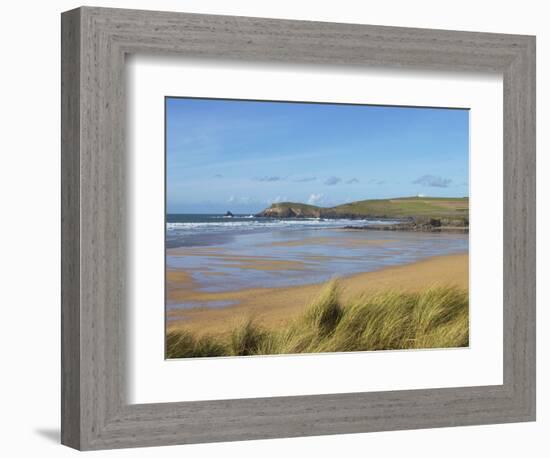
point(277, 228)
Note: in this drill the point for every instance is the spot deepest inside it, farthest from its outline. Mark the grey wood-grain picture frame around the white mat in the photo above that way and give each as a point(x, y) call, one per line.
point(95, 414)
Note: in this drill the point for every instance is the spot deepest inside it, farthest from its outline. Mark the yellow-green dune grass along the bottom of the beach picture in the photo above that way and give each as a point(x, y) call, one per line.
point(434, 318)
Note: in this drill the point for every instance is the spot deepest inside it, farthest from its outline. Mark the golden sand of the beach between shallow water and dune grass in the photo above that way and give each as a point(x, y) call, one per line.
point(273, 307)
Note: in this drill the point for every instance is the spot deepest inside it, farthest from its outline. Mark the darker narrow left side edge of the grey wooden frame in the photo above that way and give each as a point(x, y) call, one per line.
point(70, 229)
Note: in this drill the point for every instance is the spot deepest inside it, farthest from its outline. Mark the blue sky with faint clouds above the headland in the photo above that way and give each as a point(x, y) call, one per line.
point(244, 155)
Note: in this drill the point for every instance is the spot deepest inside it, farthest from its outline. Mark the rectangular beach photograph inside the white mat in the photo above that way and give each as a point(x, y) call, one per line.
point(299, 227)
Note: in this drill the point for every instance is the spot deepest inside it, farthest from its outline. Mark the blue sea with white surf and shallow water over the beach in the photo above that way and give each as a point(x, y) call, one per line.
point(225, 253)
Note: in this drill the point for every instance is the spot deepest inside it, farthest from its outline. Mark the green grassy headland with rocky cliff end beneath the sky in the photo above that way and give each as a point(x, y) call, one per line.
point(417, 208)
